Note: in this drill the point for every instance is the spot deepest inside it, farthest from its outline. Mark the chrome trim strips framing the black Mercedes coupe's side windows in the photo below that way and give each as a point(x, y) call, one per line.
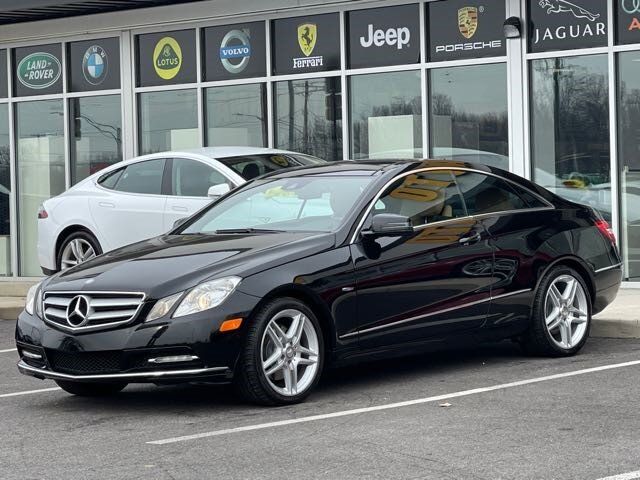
point(360, 223)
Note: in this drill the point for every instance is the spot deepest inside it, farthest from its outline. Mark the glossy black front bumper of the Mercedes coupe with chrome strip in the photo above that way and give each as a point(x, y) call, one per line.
point(130, 353)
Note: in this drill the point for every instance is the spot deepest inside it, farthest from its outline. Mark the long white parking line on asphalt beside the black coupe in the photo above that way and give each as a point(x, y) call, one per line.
point(389, 406)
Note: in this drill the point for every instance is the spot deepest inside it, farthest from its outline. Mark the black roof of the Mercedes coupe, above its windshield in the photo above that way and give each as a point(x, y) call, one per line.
point(375, 166)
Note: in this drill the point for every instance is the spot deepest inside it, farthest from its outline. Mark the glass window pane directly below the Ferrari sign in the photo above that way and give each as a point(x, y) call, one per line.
point(307, 116)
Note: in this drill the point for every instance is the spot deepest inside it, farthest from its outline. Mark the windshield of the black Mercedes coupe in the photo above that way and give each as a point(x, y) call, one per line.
point(307, 203)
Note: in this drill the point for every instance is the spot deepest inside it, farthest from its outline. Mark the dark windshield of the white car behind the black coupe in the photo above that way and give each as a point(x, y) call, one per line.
point(251, 166)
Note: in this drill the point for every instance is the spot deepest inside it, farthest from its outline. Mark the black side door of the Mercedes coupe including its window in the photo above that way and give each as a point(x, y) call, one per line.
point(433, 283)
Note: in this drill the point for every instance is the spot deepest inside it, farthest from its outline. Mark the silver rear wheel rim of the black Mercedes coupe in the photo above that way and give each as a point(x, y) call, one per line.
point(566, 311)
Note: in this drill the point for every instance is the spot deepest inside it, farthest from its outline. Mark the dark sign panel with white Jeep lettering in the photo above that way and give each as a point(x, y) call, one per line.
point(384, 36)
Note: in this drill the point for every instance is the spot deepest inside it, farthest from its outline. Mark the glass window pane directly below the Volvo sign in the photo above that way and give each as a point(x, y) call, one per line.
point(236, 116)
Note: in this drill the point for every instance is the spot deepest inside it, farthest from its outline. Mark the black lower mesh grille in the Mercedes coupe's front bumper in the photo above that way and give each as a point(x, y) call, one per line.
point(85, 363)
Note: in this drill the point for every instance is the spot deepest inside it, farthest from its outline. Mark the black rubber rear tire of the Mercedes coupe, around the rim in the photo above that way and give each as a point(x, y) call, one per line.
point(538, 340)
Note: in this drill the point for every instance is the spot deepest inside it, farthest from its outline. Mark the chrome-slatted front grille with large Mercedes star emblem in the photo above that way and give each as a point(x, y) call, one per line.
point(96, 309)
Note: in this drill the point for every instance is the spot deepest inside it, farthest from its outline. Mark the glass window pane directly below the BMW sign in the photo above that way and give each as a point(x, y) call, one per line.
point(96, 134)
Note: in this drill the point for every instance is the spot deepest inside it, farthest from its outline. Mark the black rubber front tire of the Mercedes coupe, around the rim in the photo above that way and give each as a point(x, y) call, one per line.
point(250, 379)
